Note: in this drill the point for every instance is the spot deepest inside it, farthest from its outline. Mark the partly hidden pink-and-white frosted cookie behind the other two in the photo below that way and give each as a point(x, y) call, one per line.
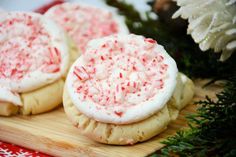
point(83, 22)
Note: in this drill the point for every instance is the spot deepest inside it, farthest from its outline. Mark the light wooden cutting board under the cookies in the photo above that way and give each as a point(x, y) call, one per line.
point(52, 133)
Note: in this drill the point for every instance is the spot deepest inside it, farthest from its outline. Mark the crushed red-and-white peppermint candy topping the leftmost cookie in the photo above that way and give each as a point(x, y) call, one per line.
point(24, 47)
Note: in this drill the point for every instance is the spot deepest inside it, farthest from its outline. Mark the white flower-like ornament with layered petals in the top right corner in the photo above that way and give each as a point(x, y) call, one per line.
point(212, 24)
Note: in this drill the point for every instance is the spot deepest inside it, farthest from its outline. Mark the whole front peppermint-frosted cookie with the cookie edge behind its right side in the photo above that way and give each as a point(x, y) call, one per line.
point(124, 89)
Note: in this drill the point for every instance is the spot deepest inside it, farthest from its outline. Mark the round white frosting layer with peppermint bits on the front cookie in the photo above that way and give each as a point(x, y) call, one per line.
point(122, 79)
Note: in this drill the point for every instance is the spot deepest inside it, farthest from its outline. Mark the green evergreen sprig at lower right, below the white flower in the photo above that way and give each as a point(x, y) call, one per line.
point(212, 129)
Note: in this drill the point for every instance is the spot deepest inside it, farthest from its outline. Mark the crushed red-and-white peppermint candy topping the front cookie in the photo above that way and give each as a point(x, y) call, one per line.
point(120, 77)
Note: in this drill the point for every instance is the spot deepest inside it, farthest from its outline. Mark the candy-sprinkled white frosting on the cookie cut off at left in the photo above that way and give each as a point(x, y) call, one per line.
point(33, 52)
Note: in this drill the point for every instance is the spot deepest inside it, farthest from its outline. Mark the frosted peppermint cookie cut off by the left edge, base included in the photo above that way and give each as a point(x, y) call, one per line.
point(34, 57)
